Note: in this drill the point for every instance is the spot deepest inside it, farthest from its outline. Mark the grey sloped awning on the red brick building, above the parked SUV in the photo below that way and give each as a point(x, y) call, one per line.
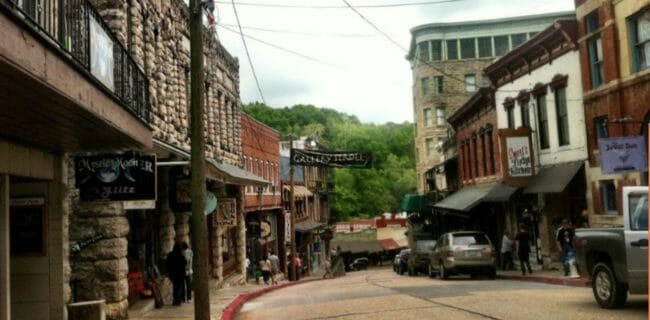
point(467, 198)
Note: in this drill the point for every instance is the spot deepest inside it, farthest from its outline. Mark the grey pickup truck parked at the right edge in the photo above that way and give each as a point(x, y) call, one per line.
point(616, 259)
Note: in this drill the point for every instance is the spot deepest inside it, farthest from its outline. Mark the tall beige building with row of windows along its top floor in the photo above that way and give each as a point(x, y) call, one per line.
point(447, 60)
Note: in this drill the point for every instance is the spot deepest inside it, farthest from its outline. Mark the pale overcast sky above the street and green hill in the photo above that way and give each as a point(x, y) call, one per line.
point(339, 61)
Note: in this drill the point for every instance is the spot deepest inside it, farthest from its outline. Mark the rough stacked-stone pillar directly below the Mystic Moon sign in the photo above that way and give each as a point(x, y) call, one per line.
point(99, 271)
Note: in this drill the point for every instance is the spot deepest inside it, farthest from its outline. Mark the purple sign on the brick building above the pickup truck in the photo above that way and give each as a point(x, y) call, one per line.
point(623, 154)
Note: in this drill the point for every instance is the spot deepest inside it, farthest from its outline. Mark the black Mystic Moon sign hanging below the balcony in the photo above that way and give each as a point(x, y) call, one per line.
point(116, 177)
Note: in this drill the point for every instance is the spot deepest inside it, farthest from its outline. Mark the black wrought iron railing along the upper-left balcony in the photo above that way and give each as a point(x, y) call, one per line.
point(76, 28)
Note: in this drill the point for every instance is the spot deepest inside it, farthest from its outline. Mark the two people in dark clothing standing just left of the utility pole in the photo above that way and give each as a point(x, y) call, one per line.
point(179, 269)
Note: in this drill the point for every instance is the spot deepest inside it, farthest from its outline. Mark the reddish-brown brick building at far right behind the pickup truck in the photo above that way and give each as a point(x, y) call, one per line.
point(614, 42)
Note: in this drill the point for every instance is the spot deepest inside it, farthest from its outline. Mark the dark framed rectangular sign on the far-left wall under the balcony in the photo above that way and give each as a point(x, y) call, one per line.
point(27, 226)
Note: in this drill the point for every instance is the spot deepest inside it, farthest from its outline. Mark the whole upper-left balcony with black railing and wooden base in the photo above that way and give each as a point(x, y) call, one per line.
point(66, 83)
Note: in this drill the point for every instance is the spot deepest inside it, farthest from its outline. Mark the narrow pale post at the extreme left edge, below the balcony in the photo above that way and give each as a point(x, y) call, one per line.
point(5, 285)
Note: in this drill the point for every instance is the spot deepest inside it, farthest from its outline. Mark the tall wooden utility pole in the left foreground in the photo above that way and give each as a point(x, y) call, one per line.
point(199, 232)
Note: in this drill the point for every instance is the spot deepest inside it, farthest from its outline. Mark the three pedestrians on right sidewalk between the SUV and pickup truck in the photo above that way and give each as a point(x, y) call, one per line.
point(521, 244)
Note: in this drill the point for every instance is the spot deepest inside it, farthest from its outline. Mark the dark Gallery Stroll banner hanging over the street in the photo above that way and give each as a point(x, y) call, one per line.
point(315, 158)
